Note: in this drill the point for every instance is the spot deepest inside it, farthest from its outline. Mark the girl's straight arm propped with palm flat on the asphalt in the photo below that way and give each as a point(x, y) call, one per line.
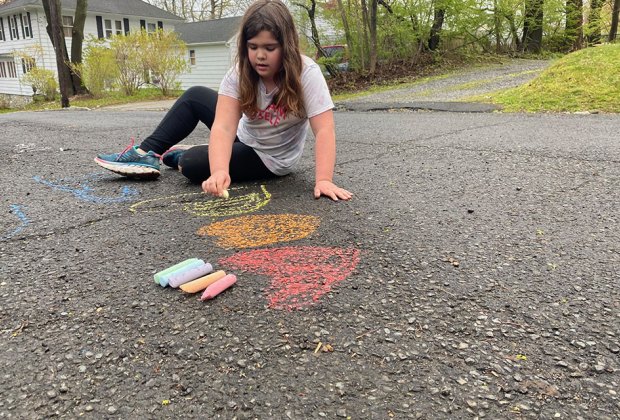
point(325, 156)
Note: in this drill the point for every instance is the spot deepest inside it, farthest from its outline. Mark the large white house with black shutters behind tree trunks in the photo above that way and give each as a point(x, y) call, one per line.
point(23, 31)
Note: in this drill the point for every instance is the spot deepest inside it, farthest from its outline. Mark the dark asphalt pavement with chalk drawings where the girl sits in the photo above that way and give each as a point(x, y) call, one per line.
point(474, 274)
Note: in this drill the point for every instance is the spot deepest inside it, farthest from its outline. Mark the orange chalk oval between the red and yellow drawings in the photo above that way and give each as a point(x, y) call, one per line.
point(255, 231)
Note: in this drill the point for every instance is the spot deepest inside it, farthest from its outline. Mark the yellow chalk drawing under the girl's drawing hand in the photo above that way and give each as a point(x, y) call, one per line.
point(200, 204)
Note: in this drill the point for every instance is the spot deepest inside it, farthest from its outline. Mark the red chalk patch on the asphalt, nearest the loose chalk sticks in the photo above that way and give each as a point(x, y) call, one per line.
point(299, 275)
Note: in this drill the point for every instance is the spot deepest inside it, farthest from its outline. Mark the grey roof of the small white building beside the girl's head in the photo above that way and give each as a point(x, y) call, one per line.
point(208, 31)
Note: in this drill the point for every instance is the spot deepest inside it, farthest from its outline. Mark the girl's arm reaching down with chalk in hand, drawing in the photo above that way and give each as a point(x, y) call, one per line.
point(223, 132)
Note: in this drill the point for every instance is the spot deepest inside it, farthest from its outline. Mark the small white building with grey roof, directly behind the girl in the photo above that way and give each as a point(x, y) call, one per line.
point(212, 47)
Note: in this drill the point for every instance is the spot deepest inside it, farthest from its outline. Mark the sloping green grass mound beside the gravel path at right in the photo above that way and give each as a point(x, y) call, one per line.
point(586, 80)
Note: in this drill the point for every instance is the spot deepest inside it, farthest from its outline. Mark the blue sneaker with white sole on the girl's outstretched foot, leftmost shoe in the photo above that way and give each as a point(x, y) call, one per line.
point(130, 163)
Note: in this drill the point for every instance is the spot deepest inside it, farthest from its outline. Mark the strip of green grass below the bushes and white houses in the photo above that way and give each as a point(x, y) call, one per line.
point(111, 98)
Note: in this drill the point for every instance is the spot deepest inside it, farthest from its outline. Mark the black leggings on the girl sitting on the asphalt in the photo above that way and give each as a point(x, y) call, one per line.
point(198, 104)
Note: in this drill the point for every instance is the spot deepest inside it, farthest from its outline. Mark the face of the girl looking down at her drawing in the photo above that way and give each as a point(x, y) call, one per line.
point(265, 55)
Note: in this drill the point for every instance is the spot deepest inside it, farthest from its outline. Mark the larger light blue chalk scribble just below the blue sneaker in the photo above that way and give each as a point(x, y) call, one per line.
point(81, 188)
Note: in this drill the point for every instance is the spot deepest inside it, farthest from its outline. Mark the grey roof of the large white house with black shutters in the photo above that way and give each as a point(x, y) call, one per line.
point(117, 7)
